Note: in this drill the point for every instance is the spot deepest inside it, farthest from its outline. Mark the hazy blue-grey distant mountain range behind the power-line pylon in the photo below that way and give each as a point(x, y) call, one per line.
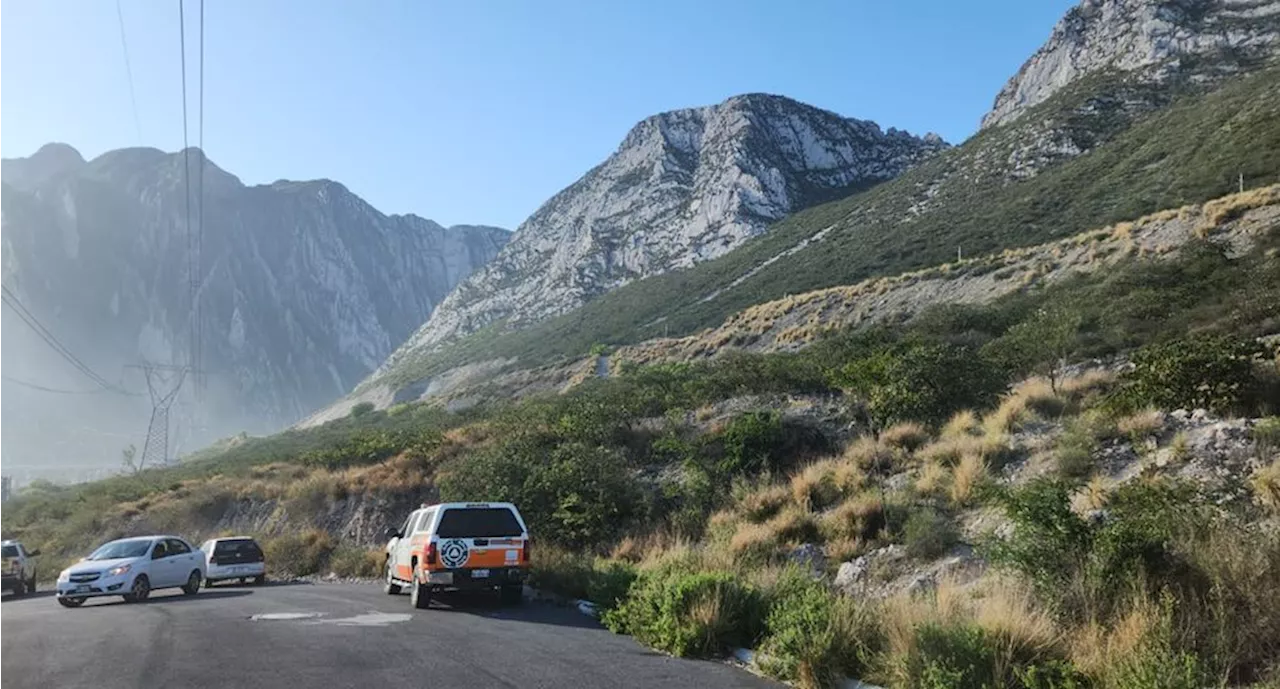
point(304, 289)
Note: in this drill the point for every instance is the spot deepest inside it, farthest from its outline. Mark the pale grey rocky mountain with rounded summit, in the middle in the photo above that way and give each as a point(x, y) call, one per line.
point(684, 188)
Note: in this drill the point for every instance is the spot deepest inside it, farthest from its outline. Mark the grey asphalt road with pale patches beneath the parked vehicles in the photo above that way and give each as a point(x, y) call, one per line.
point(322, 636)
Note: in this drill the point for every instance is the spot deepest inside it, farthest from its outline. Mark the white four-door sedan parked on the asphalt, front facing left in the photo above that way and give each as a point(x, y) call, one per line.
point(134, 568)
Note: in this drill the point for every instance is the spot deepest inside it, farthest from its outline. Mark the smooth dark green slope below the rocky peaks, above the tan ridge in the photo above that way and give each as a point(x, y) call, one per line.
point(975, 198)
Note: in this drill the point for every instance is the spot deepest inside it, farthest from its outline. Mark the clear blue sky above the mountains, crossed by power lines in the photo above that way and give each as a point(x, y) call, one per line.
point(479, 111)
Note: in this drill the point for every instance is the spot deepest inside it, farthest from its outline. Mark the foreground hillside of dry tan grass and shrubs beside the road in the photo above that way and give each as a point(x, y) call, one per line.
point(679, 496)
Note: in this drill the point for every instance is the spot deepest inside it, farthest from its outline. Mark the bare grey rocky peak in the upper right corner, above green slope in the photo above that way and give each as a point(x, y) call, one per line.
point(1158, 39)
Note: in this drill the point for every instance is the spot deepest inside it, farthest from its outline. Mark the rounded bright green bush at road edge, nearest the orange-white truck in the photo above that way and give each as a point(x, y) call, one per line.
point(688, 614)
